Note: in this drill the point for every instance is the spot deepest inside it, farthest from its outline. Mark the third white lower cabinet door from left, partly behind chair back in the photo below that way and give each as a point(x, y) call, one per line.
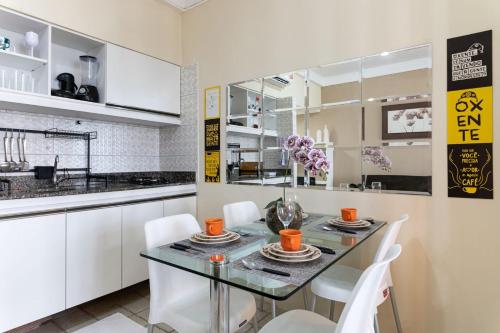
point(135, 267)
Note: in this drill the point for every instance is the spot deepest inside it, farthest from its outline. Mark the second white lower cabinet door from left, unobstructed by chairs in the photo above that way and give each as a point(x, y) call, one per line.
point(93, 254)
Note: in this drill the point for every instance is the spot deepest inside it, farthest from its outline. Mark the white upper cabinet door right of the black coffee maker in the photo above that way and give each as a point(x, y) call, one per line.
point(140, 81)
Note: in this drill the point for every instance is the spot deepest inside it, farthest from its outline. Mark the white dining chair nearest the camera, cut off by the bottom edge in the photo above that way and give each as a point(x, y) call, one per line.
point(358, 314)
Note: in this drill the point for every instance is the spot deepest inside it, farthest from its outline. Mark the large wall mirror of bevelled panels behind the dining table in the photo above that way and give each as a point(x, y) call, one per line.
point(372, 117)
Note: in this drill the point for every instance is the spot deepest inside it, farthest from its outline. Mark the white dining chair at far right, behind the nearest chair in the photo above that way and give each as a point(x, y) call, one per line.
point(337, 284)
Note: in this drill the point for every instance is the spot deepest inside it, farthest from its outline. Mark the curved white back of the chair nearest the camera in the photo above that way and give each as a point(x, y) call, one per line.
point(358, 314)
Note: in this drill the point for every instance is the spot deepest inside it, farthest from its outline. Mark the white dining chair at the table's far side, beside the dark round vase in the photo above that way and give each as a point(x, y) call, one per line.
point(245, 212)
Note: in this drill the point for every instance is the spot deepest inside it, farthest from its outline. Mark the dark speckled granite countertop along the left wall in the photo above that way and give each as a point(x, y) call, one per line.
point(26, 187)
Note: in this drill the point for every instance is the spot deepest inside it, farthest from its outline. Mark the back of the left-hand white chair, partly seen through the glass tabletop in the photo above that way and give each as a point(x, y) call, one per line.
point(168, 284)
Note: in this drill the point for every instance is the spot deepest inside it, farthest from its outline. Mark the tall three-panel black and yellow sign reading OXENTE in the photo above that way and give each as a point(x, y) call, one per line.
point(470, 116)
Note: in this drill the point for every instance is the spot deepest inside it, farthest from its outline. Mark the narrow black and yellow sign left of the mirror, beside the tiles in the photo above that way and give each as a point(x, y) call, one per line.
point(212, 135)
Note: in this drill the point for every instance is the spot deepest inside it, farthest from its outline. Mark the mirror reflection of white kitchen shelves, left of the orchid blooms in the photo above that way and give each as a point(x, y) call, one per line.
point(269, 107)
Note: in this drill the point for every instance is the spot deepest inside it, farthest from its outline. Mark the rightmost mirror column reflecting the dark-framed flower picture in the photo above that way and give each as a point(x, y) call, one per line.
point(397, 121)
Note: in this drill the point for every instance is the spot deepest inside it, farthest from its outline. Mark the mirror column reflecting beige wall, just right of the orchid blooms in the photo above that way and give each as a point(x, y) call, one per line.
point(335, 120)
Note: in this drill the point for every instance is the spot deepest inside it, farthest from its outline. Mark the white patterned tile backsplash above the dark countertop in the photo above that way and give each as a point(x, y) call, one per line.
point(118, 147)
